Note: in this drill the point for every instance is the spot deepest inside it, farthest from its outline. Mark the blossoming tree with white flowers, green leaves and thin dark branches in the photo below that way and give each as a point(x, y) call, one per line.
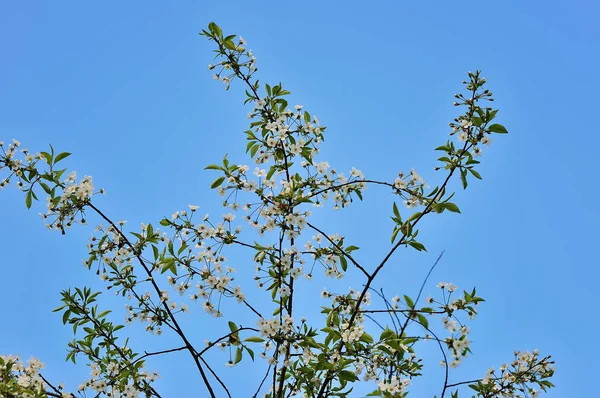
point(160, 271)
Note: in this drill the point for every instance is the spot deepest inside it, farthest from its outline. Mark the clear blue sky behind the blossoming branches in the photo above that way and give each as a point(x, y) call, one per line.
point(125, 88)
